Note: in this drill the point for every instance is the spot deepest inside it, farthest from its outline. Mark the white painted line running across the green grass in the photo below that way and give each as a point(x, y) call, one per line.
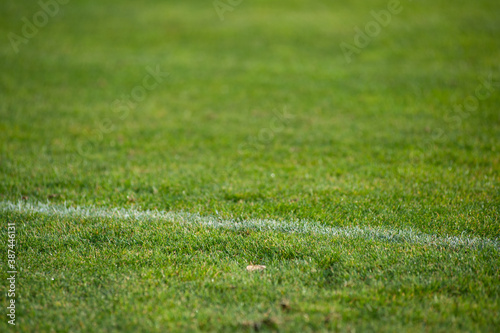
point(374, 233)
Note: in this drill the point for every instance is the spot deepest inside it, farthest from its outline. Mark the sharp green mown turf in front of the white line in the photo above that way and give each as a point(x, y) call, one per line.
point(98, 274)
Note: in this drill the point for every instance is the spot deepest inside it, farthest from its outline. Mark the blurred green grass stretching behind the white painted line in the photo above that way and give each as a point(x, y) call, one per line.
point(358, 151)
